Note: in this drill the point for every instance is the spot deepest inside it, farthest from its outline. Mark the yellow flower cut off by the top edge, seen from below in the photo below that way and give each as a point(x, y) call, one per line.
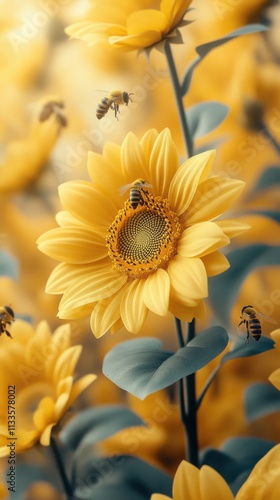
point(131, 25)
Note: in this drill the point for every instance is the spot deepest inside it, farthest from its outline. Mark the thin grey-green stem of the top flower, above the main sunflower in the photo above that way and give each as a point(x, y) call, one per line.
point(178, 96)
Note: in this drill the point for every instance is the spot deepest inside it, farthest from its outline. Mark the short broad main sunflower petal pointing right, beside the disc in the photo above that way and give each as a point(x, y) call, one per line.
point(201, 239)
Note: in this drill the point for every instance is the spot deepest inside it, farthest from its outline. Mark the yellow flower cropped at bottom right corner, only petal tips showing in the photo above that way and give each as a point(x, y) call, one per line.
point(206, 484)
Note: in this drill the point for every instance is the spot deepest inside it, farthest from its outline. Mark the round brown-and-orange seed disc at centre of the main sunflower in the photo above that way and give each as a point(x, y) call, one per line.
point(141, 240)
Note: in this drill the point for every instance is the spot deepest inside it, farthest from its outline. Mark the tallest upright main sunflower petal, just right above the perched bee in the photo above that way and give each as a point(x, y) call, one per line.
point(164, 162)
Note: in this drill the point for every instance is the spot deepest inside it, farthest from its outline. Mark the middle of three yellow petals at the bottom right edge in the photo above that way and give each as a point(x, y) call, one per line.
point(213, 486)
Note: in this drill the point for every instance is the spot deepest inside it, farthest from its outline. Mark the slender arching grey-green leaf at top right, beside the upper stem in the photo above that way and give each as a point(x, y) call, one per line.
point(204, 49)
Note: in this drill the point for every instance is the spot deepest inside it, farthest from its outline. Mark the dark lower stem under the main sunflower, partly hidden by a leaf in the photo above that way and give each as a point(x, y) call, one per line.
point(187, 400)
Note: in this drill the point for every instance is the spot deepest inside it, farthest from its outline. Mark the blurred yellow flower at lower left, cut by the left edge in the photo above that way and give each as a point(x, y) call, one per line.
point(40, 367)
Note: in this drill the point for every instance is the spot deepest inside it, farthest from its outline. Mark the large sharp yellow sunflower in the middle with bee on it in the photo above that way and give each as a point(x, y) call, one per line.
point(119, 261)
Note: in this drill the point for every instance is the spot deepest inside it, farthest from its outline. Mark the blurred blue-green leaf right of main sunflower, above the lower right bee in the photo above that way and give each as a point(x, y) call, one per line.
point(223, 289)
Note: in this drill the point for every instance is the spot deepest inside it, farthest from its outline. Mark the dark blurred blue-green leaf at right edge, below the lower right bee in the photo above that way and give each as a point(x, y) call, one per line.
point(261, 400)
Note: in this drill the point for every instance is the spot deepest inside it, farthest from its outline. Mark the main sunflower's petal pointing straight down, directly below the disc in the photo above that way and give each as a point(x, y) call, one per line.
point(133, 310)
